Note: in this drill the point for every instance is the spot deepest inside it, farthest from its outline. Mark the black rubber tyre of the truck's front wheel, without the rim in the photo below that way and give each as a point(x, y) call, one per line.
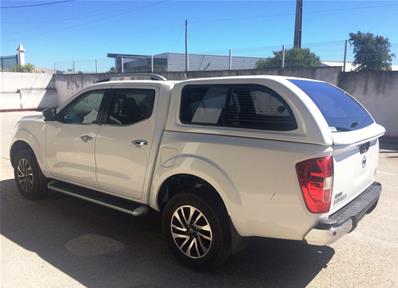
point(38, 190)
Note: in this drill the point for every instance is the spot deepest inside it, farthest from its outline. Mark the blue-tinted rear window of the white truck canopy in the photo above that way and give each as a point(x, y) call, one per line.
point(341, 111)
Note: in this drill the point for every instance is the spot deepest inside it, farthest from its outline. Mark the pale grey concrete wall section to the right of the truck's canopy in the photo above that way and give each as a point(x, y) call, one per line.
point(378, 92)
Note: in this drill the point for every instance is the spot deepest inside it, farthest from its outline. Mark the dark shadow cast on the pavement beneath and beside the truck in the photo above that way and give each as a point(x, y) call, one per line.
point(100, 247)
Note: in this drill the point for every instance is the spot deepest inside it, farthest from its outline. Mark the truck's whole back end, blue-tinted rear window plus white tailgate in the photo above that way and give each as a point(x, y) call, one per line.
point(355, 139)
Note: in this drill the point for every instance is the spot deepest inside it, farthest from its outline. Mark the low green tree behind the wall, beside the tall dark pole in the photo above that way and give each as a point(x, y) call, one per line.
point(295, 57)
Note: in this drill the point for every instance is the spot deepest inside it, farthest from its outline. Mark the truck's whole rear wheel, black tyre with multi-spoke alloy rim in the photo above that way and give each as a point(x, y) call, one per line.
point(199, 248)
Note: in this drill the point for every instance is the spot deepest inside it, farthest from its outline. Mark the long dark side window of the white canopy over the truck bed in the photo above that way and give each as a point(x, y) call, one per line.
point(243, 106)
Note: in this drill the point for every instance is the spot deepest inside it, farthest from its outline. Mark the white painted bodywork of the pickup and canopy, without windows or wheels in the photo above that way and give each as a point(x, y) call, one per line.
point(253, 171)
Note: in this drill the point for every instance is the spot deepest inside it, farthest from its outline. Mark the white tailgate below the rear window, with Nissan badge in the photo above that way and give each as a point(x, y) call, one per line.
point(355, 157)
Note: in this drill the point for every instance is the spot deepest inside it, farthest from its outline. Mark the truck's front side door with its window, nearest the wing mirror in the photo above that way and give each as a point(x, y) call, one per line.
point(70, 141)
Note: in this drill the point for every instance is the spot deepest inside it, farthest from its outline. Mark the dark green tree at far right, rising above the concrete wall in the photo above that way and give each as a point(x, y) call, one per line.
point(371, 52)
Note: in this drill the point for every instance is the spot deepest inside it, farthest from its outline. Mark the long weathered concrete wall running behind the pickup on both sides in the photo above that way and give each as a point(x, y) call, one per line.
point(378, 91)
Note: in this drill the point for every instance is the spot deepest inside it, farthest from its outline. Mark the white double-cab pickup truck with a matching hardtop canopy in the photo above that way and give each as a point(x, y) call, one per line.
point(222, 159)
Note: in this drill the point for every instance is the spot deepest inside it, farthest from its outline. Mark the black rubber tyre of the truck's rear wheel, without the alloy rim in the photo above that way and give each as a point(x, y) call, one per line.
point(220, 248)
